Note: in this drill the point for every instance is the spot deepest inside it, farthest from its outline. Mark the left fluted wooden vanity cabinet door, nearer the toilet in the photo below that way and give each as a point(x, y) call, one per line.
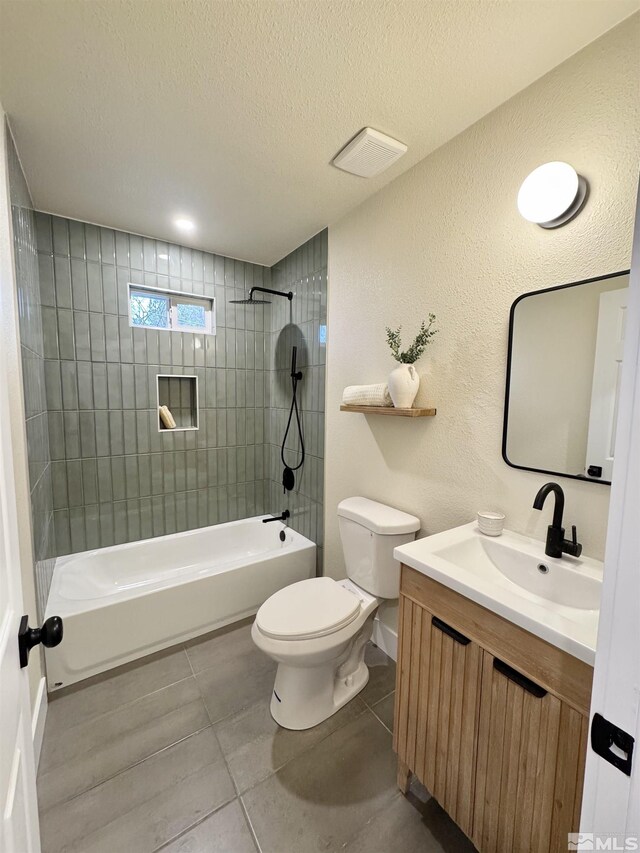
point(436, 708)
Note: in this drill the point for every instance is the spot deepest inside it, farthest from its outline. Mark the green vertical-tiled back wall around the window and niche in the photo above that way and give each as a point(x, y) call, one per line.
point(115, 477)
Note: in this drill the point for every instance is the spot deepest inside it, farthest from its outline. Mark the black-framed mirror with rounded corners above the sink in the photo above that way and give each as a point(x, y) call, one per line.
point(563, 371)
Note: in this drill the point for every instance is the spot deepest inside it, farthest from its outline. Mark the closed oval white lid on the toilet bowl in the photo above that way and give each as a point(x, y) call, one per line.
point(307, 609)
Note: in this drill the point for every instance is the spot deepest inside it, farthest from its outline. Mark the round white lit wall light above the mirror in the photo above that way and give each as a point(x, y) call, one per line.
point(552, 194)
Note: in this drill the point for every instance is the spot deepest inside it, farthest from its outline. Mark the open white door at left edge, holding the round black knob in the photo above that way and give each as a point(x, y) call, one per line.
point(20, 831)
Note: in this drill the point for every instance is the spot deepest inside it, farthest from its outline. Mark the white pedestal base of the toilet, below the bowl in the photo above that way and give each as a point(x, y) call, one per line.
point(303, 698)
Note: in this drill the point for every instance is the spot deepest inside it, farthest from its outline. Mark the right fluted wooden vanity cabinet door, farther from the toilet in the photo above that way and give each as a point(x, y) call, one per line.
point(518, 740)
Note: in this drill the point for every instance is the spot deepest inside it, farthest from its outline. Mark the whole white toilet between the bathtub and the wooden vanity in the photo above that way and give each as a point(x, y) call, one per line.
point(317, 629)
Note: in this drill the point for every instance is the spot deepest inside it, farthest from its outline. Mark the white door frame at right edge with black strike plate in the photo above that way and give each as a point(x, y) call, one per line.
point(611, 800)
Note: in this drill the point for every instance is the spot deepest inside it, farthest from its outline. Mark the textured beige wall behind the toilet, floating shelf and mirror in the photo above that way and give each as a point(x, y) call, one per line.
point(447, 237)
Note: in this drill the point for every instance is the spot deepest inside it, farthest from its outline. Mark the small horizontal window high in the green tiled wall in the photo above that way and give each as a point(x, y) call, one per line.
point(168, 309)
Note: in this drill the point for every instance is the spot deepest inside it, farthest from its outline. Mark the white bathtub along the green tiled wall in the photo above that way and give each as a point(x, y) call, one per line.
point(127, 601)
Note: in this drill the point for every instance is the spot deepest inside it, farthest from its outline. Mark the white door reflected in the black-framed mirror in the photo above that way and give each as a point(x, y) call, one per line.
point(605, 393)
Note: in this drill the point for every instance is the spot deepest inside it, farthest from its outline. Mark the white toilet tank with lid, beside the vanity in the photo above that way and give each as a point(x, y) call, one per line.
point(369, 532)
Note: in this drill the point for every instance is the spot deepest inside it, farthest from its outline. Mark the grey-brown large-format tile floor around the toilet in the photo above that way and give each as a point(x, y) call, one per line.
point(178, 752)
